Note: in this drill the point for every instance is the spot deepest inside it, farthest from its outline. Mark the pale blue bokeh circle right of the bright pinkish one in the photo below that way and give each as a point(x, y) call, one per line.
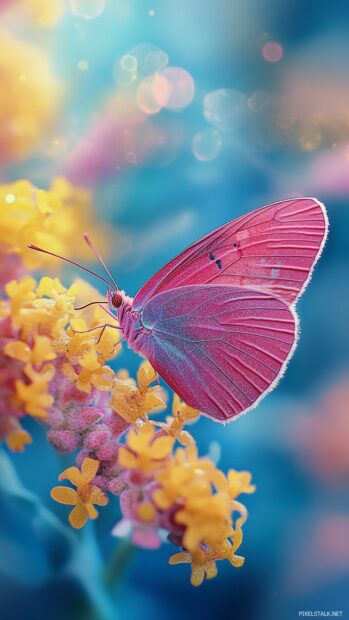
point(225, 109)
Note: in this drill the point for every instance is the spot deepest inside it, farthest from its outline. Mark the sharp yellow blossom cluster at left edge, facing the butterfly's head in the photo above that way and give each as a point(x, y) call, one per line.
point(45, 323)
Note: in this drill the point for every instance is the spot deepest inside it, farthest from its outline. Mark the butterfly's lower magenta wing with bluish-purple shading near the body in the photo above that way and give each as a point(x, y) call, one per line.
point(221, 348)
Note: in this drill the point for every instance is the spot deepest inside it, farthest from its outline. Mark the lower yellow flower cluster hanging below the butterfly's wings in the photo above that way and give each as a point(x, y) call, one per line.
point(203, 497)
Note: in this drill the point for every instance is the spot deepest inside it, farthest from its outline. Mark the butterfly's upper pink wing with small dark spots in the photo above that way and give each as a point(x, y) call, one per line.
point(273, 249)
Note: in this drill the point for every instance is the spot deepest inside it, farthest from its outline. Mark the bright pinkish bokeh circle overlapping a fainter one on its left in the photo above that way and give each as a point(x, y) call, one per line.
point(173, 88)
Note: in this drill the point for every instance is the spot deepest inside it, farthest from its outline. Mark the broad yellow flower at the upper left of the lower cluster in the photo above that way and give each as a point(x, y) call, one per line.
point(144, 451)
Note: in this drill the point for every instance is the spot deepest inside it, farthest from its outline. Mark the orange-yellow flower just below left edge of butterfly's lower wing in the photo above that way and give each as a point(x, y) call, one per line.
point(132, 402)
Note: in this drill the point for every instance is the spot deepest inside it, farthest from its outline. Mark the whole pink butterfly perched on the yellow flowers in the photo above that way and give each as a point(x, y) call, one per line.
point(218, 322)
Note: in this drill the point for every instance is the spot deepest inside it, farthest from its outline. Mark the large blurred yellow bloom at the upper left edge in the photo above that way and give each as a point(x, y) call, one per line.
point(29, 97)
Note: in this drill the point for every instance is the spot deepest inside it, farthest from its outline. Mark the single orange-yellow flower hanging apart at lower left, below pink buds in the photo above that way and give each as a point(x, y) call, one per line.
point(86, 494)
